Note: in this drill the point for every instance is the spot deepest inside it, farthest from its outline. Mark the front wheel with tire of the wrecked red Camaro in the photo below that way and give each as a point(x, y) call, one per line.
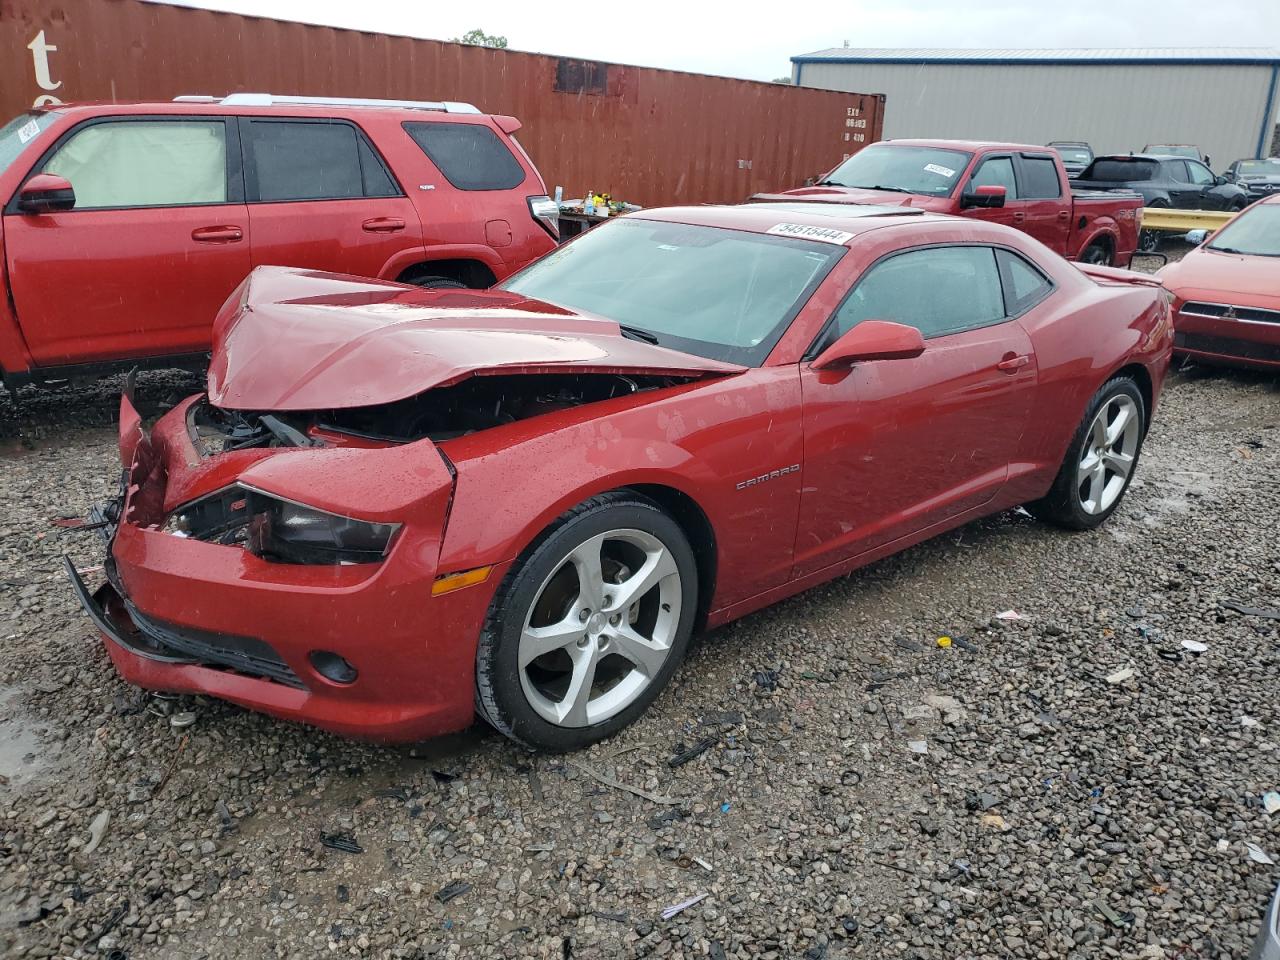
point(588, 628)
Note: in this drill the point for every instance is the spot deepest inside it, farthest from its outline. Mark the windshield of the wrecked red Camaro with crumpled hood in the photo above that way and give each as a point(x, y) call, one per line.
point(719, 294)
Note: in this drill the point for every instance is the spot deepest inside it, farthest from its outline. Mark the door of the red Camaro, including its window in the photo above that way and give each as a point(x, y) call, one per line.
point(894, 447)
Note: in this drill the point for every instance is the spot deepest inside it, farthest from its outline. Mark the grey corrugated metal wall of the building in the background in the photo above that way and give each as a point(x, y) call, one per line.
point(1116, 108)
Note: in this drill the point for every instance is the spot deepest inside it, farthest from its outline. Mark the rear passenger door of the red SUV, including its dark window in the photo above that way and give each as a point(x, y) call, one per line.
point(322, 198)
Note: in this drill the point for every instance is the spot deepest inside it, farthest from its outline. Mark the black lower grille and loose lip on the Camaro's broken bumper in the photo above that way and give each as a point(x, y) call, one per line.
point(125, 624)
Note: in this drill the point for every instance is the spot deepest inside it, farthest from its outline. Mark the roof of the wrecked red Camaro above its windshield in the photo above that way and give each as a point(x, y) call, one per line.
point(854, 220)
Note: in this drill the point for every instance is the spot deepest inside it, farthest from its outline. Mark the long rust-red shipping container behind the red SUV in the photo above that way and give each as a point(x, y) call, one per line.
point(643, 135)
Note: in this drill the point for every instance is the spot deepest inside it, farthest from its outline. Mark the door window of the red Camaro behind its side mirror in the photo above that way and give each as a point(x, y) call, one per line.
point(936, 290)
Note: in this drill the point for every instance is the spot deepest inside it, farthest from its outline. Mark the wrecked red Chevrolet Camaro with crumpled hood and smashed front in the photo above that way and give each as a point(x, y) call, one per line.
point(397, 508)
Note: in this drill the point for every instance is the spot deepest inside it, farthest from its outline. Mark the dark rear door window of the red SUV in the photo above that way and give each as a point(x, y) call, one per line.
point(296, 161)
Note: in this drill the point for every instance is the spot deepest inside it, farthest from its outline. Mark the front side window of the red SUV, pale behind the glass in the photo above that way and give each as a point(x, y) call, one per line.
point(145, 163)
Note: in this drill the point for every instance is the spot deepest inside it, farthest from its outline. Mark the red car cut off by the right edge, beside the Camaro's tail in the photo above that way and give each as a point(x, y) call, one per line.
point(1227, 292)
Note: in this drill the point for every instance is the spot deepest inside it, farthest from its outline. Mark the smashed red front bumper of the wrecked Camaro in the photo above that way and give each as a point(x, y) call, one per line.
point(189, 616)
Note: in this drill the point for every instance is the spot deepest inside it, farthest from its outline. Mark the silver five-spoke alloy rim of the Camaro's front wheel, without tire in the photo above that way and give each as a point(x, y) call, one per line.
point(600, 629)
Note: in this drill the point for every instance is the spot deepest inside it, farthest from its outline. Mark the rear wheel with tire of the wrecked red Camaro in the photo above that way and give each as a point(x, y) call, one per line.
point(1100, 461)
